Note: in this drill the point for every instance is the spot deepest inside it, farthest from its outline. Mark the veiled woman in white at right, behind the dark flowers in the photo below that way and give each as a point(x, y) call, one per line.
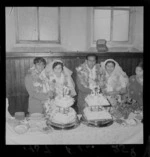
point(115, 78)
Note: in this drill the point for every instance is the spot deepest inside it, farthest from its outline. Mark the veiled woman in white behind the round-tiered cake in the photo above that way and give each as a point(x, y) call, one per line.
point(60, 78)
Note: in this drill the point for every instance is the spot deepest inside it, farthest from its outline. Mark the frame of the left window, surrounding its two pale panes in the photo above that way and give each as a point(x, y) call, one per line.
point(38, 41)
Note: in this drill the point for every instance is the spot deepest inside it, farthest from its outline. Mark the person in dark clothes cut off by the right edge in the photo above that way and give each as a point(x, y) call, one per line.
point(135, 86)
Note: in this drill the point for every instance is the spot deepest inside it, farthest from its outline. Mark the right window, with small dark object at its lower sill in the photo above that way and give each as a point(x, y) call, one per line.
point(111, 23)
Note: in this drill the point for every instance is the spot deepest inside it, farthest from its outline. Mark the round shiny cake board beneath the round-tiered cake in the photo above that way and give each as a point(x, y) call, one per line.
point(63, 126)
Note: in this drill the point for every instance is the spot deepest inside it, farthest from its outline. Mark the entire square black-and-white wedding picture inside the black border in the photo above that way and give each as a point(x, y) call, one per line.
point(74, 75)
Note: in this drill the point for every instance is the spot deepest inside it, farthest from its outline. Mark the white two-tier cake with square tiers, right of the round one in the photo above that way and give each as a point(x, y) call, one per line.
point(95, 110)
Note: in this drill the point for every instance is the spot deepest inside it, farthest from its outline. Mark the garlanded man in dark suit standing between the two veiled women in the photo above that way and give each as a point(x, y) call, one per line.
point(88, 77)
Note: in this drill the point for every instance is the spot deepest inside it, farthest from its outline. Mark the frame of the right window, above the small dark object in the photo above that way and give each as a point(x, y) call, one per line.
point(129, 41)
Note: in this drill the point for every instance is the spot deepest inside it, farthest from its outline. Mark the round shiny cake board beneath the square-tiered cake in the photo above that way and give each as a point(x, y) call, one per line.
point(97, 123)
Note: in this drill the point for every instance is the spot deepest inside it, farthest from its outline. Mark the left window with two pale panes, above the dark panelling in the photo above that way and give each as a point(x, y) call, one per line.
point(38, 25)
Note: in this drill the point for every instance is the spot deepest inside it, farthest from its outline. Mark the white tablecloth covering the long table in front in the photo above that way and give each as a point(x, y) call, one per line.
point(113, 134)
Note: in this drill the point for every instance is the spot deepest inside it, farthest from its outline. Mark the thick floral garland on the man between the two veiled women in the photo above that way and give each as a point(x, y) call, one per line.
point(83, 73)
